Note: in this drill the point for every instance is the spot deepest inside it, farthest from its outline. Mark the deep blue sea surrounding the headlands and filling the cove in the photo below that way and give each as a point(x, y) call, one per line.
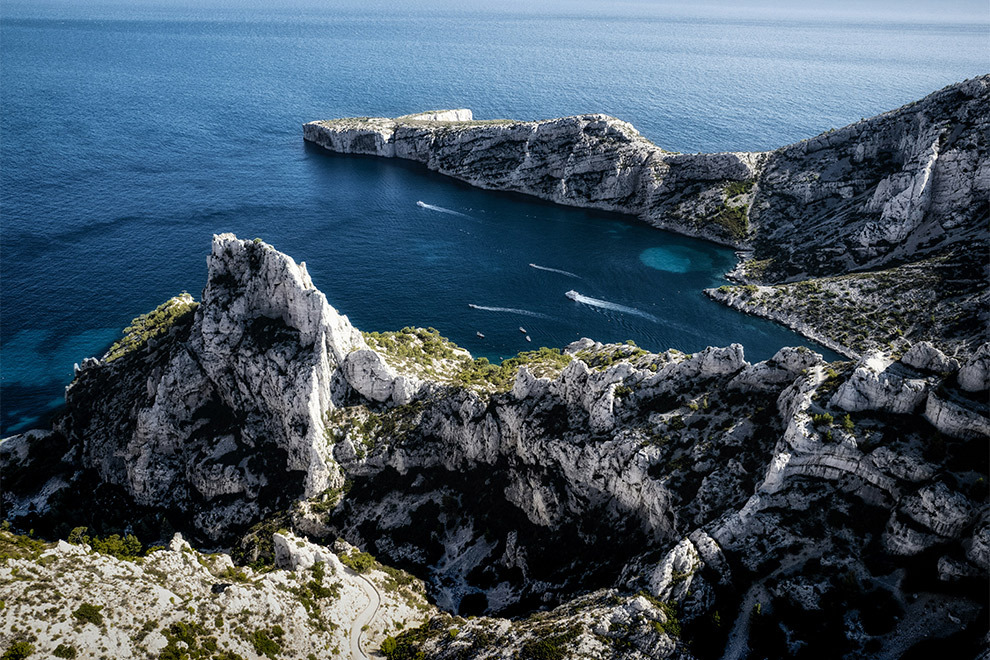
point(130, 133)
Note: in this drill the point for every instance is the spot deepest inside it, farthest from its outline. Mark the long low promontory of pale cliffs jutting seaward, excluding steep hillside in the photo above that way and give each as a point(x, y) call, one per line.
point(593, 161)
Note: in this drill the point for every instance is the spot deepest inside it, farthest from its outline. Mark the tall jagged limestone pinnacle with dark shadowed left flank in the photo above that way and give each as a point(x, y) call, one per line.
point(252, 375)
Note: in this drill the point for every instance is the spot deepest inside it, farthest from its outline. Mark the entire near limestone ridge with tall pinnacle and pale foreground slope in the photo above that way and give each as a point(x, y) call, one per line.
point(599, 501)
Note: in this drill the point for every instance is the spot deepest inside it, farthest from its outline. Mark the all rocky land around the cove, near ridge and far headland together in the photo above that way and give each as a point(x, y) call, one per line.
point(592, 501)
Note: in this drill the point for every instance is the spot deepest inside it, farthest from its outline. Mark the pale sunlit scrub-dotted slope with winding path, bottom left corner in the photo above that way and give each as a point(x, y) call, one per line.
point(177, 601)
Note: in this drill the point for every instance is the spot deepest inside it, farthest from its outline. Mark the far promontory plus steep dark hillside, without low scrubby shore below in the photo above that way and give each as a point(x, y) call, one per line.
point(903, 185)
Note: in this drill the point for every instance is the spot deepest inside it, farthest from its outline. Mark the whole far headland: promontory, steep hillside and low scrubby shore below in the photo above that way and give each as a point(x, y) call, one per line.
point(869, 237)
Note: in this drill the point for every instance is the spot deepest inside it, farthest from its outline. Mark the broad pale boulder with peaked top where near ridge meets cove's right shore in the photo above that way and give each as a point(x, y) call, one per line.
point(875, 386)
